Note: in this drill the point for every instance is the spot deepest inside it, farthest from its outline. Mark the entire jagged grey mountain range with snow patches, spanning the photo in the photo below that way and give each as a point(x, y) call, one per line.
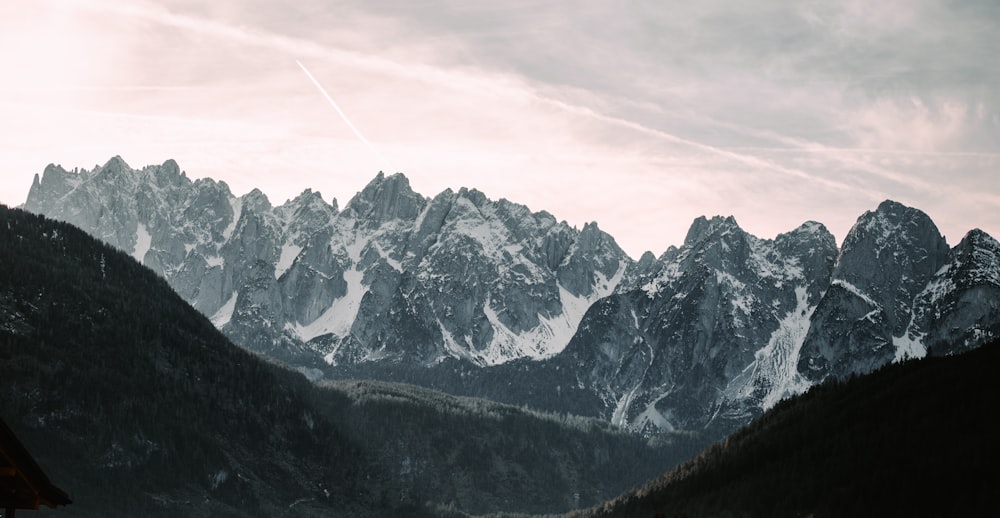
point(486, 298)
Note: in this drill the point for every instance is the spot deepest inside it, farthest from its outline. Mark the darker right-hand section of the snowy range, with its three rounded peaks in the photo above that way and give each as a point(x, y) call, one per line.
point(726, 326)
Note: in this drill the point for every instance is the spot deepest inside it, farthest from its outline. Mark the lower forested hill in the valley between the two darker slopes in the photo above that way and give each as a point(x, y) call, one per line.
point(480, 456)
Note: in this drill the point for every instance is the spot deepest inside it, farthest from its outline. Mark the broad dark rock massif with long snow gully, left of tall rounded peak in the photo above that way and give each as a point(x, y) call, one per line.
point(711, 333)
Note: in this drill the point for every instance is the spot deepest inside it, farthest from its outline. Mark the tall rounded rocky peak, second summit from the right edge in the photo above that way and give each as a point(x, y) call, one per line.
point(888, 258)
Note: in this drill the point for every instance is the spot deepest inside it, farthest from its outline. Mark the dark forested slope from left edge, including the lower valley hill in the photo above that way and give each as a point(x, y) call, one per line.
point(134, 403)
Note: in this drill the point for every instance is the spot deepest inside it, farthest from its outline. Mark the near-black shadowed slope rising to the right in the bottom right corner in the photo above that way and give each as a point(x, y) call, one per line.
point(911, 439)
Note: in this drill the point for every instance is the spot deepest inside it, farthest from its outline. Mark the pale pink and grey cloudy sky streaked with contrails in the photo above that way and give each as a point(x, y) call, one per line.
point(641, 115)
